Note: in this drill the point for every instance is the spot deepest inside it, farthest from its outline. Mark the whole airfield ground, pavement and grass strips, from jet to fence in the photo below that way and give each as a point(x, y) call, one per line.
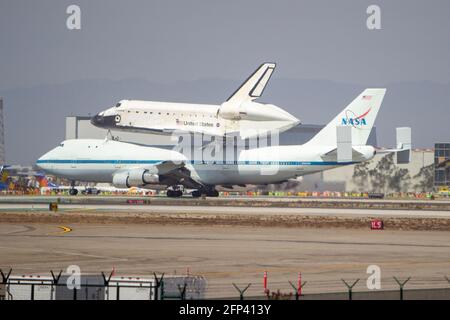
point(229, 244)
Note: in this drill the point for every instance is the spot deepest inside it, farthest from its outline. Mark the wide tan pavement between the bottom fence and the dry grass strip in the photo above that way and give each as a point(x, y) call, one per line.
point(231, 254)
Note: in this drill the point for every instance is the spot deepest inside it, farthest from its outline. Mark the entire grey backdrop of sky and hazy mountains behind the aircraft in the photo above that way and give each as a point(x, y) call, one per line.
point(189, 50)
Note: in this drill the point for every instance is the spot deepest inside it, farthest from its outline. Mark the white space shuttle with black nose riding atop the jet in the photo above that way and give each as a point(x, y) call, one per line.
point(240, 115)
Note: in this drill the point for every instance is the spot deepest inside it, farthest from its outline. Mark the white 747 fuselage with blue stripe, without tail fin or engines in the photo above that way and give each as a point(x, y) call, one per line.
point(94, 160)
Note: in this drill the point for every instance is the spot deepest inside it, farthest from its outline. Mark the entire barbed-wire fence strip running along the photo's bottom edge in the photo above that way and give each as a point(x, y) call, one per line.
point(192, 287)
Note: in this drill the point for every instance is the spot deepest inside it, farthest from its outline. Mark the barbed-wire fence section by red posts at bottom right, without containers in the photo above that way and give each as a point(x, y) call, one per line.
point(430, 288)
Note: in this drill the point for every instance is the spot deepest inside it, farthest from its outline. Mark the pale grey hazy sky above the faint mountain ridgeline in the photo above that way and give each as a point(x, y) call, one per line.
point(166, 41)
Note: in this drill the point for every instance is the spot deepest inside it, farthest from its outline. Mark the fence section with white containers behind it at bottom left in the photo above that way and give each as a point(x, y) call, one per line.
point(100, 287)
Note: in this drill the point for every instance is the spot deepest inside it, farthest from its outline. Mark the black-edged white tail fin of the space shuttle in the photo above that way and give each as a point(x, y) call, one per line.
point(254, 86)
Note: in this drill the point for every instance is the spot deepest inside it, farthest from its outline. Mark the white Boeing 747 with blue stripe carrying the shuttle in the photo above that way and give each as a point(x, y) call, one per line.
point(341, 142)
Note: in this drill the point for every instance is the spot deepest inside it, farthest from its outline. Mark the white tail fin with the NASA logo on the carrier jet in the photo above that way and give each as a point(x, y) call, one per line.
point(360, 115)
